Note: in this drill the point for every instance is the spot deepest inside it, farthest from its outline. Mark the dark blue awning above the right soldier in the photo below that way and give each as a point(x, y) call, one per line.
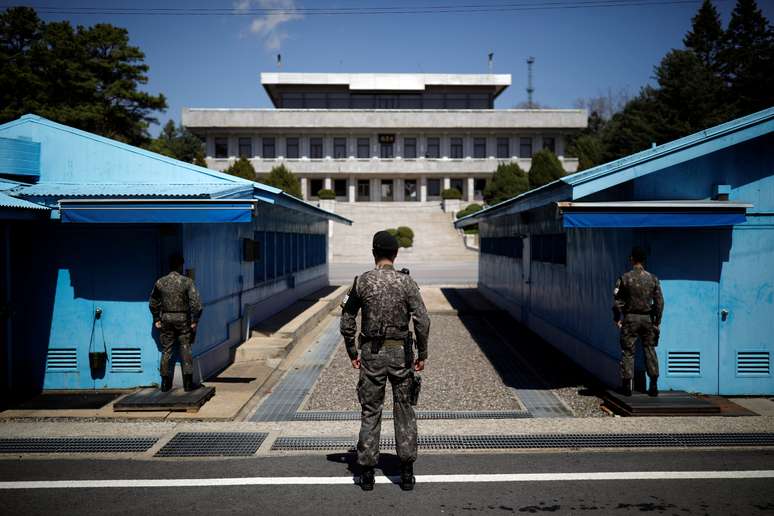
point(651, 220)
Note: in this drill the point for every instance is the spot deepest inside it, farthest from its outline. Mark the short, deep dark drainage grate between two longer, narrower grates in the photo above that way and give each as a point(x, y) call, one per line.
point(213, 444)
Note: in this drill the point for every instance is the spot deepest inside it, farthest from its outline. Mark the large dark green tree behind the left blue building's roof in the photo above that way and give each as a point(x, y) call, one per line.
point(86, 77)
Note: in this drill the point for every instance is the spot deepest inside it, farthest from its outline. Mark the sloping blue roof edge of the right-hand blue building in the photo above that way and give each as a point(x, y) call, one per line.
point(587, 182)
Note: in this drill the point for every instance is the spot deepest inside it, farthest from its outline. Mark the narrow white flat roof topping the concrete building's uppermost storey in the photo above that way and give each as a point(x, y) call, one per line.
point(403, 82)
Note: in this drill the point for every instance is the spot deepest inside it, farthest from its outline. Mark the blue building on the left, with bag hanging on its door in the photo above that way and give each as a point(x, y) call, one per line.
point(88, 223)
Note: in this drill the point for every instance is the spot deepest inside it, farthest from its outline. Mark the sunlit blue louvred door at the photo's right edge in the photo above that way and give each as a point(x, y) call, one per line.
point(746, 313)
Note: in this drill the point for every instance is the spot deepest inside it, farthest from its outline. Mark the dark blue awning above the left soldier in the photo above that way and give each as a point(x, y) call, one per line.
point(122, 211)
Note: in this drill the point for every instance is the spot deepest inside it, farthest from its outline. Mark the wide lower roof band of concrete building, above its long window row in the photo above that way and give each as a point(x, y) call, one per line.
point(354, 119)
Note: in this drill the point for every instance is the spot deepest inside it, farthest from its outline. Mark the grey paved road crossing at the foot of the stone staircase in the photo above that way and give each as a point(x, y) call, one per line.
point(447, 273)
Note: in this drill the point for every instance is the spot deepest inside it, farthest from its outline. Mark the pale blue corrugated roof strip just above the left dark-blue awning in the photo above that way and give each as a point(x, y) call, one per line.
point(113, 190)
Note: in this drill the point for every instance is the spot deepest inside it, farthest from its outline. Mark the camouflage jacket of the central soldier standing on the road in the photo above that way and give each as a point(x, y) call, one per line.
point(388, 300)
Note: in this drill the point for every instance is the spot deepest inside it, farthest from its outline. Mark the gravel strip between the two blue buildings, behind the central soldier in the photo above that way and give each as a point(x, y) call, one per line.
point(457, 376)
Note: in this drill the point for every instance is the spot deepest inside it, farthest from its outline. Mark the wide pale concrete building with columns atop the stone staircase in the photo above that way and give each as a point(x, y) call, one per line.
point(384, 137)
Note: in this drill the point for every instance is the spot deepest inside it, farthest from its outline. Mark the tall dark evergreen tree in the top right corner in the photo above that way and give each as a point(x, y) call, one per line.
point(747, 58)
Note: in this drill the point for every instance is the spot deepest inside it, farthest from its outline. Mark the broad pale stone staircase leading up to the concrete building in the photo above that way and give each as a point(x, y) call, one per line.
point(434, 235)
